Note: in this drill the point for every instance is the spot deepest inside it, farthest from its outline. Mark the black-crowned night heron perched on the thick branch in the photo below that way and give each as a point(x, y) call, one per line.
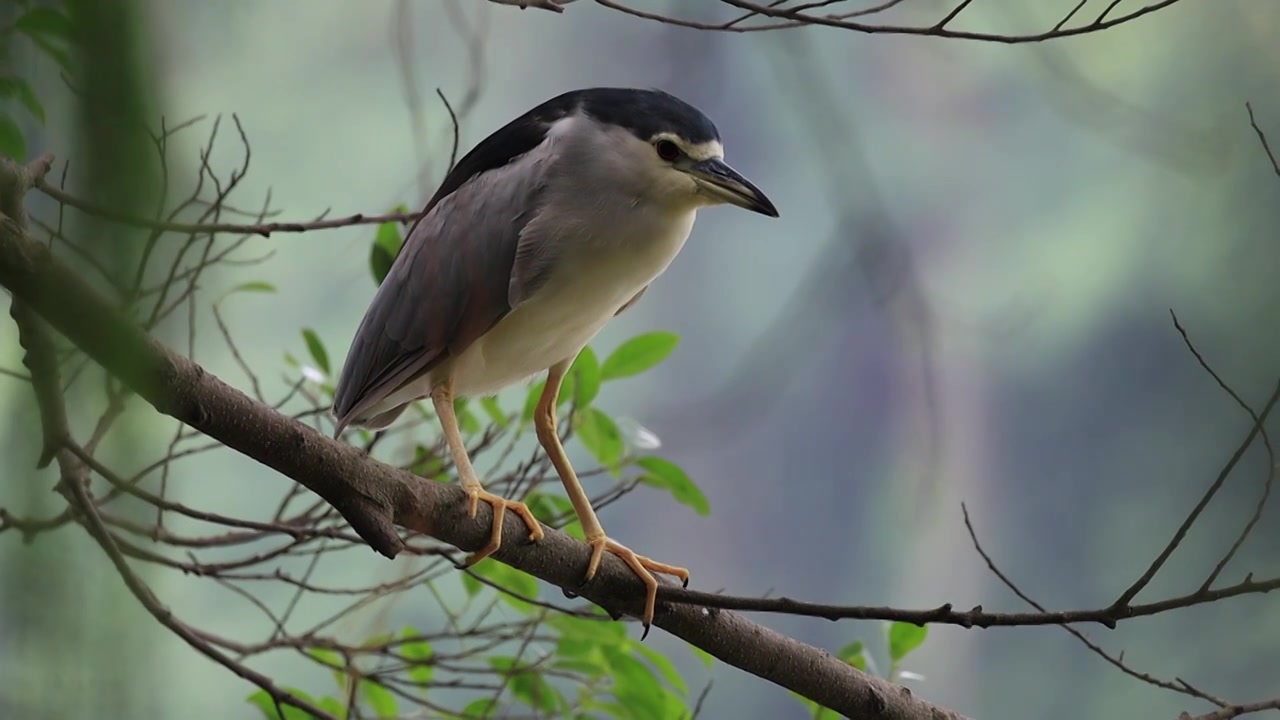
point(538, 238)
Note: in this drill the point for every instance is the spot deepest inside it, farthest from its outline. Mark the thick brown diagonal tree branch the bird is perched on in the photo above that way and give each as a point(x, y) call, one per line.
point(376, 498)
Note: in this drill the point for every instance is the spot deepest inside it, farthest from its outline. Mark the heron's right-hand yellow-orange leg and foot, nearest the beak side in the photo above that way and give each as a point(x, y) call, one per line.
point(545, 422)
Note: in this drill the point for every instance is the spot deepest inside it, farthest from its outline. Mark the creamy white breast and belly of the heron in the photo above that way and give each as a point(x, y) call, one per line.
point(587, 289)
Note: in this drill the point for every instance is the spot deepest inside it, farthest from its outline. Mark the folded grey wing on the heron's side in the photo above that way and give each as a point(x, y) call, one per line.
point(447, 288)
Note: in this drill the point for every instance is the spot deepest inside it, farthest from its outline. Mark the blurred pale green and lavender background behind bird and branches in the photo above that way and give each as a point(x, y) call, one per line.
point(964, 300)
